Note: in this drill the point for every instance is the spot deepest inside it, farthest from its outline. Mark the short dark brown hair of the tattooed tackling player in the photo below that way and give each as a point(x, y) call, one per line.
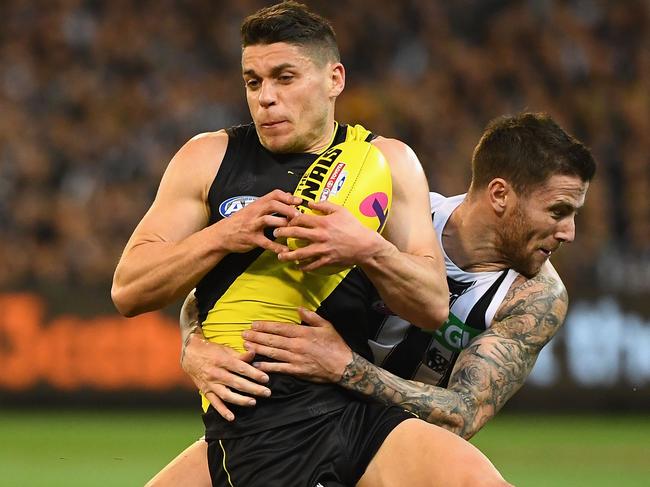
point(527, 149)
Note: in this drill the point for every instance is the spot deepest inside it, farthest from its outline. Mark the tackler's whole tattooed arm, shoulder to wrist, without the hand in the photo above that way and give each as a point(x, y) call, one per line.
point(488, 372)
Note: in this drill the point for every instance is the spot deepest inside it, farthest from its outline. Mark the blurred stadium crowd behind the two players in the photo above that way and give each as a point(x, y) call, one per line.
point(96, 96)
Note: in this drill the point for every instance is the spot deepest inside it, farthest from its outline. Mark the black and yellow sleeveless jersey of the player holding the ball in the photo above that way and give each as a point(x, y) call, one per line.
point(244, 287)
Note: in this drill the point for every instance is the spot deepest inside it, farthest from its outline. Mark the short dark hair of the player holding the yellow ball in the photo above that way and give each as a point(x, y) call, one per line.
point(293, 23)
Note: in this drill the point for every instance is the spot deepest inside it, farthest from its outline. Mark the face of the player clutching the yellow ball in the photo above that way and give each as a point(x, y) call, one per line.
point(290, 97)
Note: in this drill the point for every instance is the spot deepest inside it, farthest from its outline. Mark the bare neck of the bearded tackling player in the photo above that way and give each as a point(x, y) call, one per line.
point(470, 240)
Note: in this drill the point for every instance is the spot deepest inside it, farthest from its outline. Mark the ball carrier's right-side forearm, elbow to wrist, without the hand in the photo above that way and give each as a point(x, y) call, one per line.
point(413, 287)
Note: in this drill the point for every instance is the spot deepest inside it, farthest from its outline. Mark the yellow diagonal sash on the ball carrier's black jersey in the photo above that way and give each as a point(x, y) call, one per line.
point(269, 290)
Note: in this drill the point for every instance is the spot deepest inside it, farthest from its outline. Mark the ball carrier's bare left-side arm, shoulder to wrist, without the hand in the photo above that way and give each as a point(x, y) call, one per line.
point(171, 248)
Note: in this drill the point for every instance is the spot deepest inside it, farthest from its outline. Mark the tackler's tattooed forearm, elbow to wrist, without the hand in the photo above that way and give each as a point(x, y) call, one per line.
point(435, 405)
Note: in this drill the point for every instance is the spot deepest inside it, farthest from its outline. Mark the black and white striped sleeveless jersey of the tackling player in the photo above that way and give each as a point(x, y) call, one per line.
point(474, 297)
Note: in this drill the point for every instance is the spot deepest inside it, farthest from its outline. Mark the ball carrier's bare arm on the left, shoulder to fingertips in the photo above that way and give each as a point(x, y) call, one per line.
point(171, 249)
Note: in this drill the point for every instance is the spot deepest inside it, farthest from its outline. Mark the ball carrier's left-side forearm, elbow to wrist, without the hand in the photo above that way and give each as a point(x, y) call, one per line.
point(151, 275)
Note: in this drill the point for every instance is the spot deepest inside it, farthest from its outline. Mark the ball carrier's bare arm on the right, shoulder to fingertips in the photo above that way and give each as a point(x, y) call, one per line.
point(405, 264)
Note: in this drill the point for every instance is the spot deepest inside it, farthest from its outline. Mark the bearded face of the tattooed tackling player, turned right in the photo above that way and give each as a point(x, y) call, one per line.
point(541, 221)
